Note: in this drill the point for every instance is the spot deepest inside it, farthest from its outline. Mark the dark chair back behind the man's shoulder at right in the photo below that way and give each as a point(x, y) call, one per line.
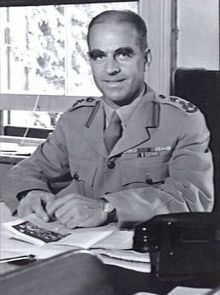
point(202, 88)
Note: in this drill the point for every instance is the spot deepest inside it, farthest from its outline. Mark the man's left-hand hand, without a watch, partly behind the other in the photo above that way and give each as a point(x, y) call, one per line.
point(35, 201)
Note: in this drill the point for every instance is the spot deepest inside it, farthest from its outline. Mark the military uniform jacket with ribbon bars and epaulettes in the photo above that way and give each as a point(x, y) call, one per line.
point(161, 164)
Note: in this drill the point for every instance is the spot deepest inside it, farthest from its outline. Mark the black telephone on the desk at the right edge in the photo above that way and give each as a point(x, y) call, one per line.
point(181, 245)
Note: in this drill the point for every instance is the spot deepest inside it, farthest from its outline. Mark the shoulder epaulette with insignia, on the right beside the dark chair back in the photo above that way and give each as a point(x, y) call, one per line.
point(178, 102)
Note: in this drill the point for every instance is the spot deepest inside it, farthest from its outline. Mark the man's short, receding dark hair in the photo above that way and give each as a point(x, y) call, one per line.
point(119, 16)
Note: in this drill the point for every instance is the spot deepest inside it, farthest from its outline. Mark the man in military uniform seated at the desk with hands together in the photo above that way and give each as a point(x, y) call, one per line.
point(154, 160)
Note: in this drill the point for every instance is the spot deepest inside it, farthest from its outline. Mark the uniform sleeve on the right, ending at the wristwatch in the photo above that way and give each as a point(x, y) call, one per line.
point(189, 183)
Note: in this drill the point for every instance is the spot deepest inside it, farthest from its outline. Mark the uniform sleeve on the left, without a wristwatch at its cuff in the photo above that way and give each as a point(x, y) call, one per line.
point(48, 163)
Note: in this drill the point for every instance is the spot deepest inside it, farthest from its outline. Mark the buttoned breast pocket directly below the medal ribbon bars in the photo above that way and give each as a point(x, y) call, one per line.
point(139, 172)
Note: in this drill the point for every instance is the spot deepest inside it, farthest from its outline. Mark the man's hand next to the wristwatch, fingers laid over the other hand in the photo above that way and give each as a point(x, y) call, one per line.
point(74, 210)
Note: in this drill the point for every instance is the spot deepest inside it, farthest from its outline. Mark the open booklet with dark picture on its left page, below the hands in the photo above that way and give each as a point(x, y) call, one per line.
point(35, 231)
